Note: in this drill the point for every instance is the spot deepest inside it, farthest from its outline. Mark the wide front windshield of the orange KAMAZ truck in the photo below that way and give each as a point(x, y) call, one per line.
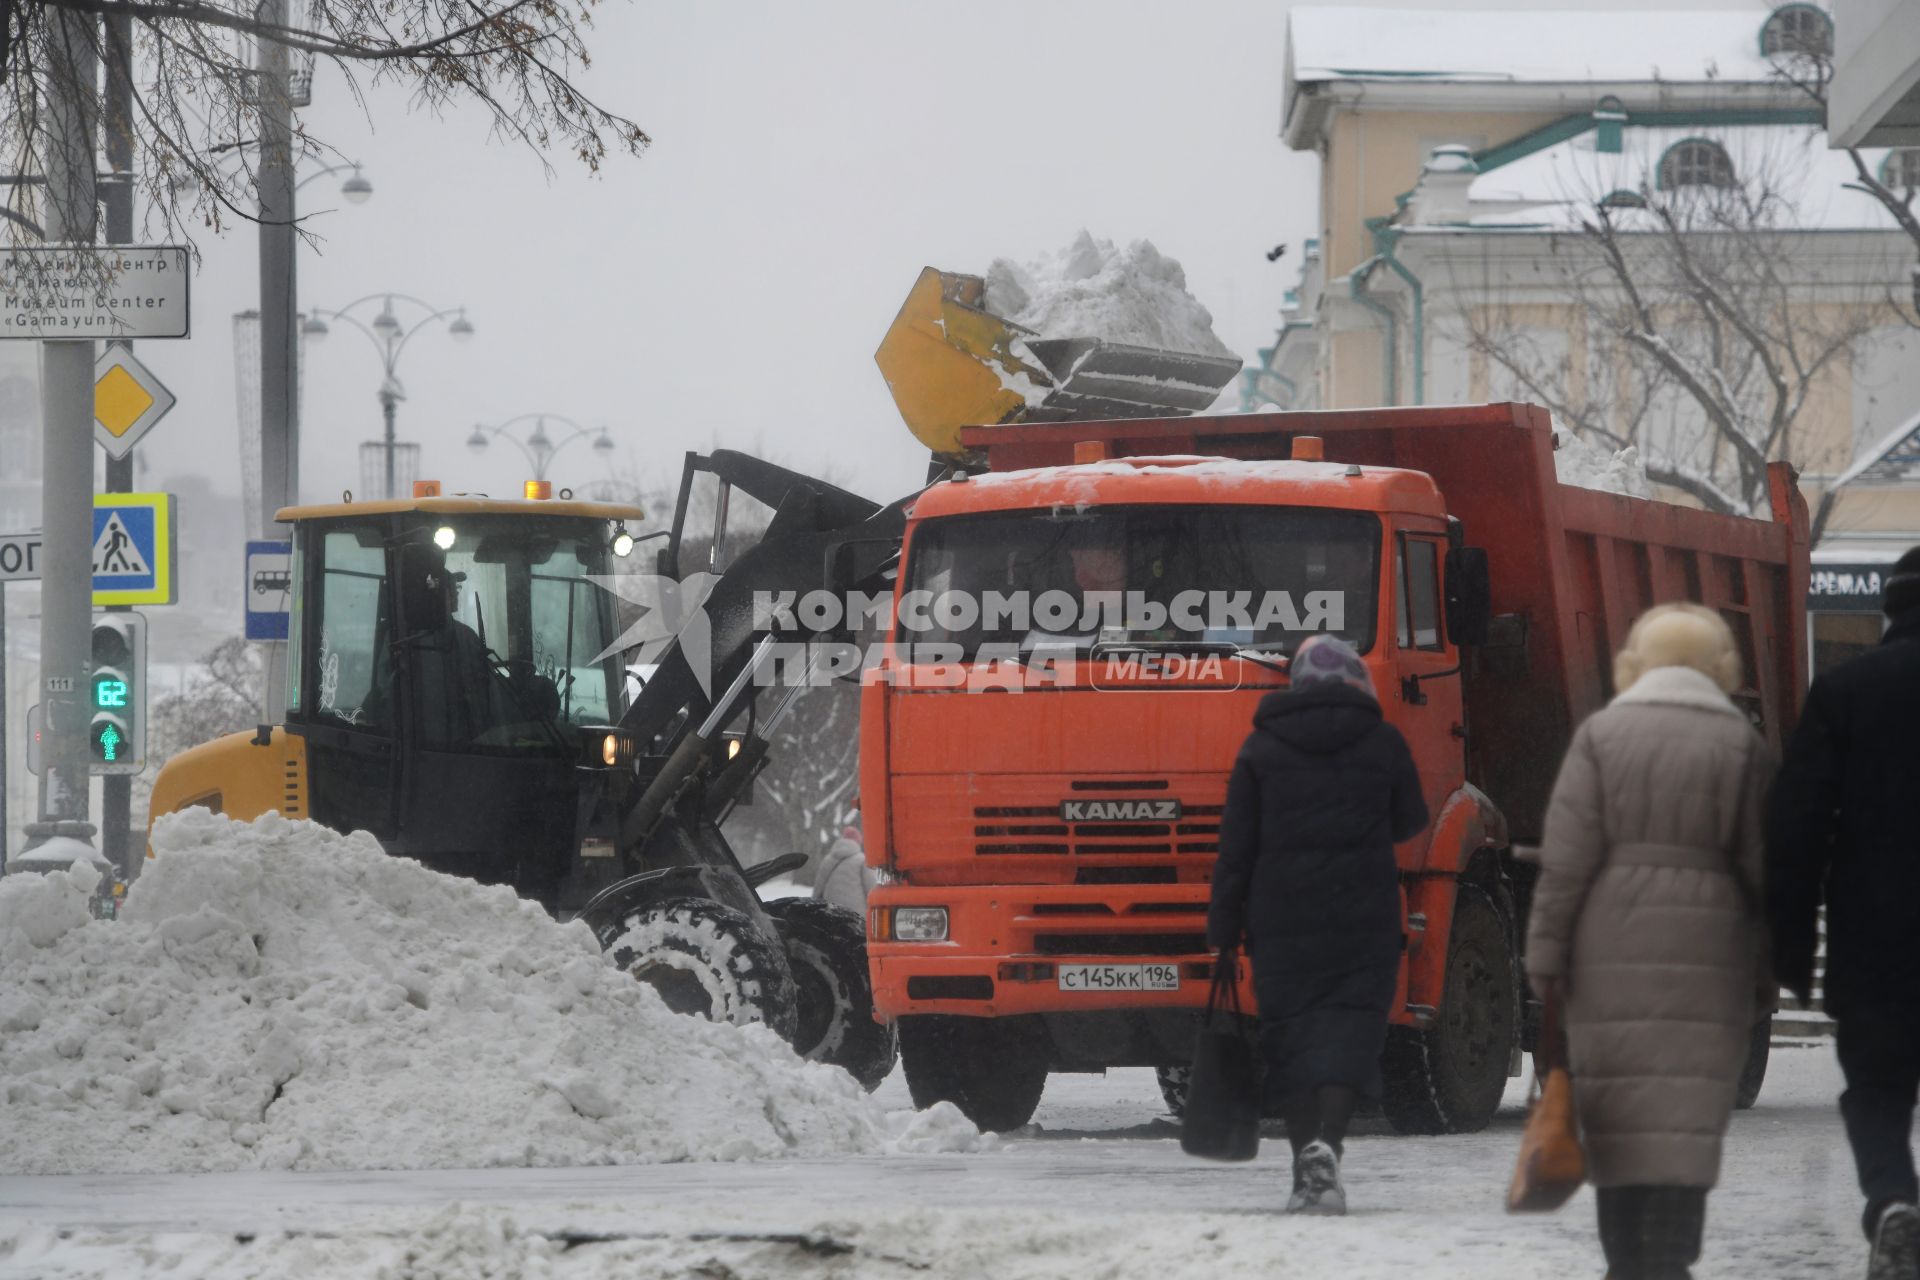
point(1234, 577)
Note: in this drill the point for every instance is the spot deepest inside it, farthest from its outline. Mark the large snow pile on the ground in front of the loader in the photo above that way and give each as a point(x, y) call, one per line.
point(281, 997)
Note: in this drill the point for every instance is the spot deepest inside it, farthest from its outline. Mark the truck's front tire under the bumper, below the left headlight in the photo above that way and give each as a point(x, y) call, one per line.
point(992, 1068)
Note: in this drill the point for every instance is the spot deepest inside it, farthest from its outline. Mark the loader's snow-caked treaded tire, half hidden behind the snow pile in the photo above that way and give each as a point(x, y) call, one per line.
point(706, 960)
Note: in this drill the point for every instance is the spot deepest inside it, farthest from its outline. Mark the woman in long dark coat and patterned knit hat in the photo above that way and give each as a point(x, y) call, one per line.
point(1307, 876)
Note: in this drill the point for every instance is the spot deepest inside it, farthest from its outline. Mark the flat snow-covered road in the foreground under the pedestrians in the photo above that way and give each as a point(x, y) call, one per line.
point(1099, 1191)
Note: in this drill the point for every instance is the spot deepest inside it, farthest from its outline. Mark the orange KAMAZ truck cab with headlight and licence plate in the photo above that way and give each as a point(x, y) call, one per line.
point(1068, 830)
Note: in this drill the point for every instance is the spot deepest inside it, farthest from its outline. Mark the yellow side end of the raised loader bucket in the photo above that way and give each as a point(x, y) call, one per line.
point(949, 364)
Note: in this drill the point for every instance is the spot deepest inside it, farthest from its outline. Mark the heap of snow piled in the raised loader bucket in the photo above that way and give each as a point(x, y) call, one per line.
point(1134, 296)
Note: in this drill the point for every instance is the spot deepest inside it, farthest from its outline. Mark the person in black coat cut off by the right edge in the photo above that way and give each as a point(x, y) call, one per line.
point(1844, 822)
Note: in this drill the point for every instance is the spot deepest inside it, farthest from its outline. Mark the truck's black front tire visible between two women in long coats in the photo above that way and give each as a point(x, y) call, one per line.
point(1449, 1079)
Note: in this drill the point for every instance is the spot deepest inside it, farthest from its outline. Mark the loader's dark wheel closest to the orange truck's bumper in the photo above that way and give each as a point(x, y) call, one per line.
point(827, 951)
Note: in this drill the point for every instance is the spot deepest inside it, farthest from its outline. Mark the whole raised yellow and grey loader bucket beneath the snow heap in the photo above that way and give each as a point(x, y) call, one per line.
point(953, 364)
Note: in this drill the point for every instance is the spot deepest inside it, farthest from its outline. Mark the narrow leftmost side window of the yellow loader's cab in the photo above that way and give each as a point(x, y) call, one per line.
point(350, 665)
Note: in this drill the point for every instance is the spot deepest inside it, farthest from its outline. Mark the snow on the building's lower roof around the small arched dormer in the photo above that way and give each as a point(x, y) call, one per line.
point(1558, 185)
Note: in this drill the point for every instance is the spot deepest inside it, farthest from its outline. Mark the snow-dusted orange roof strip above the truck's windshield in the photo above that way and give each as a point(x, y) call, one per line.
point(1186, 479)
